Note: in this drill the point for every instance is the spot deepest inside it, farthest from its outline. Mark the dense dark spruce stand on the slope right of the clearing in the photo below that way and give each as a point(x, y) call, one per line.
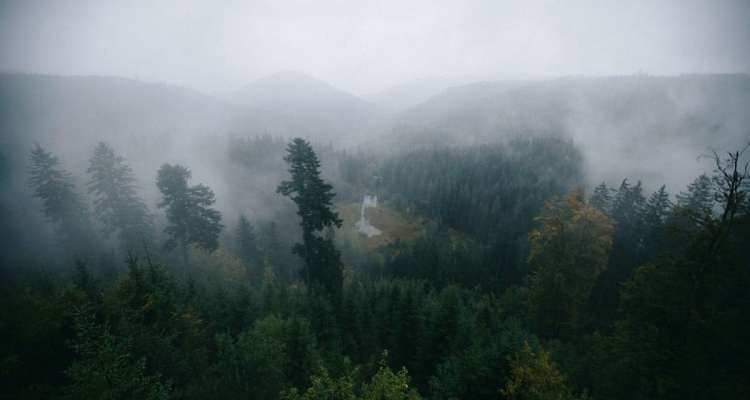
point(491, 193)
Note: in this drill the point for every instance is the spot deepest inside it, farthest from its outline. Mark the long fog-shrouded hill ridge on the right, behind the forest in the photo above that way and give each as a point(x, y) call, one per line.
point(650, 128)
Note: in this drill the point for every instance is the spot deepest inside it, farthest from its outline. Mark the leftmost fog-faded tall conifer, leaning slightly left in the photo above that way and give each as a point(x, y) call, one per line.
point(61, 204)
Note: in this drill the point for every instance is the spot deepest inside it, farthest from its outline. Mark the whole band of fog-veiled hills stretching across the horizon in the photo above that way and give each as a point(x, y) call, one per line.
point(659, 121)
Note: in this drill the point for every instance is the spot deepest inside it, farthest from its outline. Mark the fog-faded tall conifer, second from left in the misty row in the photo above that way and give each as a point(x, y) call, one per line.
point(116, 203)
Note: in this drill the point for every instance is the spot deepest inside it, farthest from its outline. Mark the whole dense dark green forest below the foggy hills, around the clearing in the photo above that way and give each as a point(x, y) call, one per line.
point(521, 284)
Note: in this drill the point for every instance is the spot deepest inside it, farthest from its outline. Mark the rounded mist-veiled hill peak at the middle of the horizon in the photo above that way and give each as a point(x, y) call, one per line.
point(319, 109)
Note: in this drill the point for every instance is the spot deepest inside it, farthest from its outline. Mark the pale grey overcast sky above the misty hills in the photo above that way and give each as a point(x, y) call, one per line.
point(366, 46)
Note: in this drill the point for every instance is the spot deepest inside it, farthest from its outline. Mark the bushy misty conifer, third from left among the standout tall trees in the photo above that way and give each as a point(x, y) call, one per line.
point(189, 213)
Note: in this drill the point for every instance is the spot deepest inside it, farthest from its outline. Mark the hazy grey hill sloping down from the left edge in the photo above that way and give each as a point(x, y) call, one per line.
point(144, 120)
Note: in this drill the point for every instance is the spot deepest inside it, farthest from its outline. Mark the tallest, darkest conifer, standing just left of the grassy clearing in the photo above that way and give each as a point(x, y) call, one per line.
point(313, 197)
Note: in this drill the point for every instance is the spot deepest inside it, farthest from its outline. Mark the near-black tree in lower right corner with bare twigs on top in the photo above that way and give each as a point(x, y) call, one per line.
point(682, 332)
